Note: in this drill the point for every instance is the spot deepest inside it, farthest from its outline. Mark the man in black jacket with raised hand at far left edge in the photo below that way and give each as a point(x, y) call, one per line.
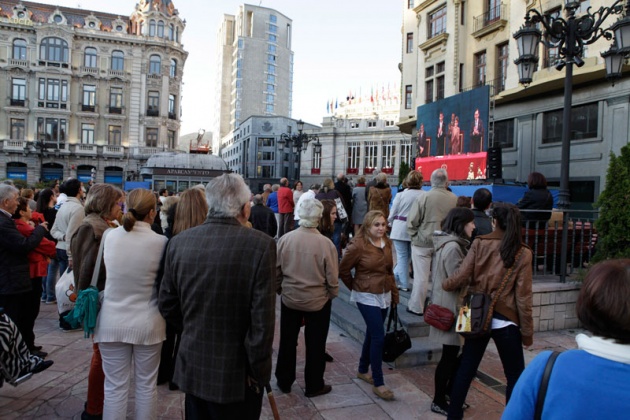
point(15, 279)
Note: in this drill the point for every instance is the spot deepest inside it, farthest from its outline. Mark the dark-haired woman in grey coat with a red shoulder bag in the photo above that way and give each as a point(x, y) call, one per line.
point(451, 245)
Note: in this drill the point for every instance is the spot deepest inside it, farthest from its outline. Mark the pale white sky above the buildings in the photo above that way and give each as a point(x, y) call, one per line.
point(339, 46)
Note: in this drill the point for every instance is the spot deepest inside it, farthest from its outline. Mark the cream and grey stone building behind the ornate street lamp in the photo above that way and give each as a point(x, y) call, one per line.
point(452, 46)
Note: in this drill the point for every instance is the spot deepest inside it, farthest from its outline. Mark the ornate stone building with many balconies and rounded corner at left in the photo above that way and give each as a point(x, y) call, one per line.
point(88, 94)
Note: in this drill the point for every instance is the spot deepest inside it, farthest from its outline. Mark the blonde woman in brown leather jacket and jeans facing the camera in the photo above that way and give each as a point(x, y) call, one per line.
point(373, 288)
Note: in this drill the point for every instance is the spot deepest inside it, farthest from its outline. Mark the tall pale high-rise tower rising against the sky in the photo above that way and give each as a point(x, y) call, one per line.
point(254, 68)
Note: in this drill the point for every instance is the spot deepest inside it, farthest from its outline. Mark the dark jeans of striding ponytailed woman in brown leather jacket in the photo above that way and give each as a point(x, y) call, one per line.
point(509, 345)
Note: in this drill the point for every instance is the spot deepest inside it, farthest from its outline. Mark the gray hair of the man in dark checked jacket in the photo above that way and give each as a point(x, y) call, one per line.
point(226, 195)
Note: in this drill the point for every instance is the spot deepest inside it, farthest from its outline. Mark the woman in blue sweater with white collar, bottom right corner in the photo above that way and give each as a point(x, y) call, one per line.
point(592, 382)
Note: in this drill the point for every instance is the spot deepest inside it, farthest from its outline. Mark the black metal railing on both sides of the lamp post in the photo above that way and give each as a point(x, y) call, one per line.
point(545, 239)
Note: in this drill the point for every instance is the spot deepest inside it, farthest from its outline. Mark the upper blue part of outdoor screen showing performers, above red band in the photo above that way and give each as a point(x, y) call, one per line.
point(456, 125)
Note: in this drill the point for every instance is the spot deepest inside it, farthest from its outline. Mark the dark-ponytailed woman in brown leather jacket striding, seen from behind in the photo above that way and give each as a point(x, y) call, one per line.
point(484, 270)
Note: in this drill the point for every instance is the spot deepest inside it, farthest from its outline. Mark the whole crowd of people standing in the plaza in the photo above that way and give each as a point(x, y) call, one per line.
point(190, 283)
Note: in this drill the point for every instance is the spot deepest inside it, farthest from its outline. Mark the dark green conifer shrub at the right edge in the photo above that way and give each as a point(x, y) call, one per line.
point(613, 223)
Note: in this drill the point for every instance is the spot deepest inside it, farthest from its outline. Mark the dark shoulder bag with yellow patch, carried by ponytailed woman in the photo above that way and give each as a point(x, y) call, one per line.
point(475, 317)
